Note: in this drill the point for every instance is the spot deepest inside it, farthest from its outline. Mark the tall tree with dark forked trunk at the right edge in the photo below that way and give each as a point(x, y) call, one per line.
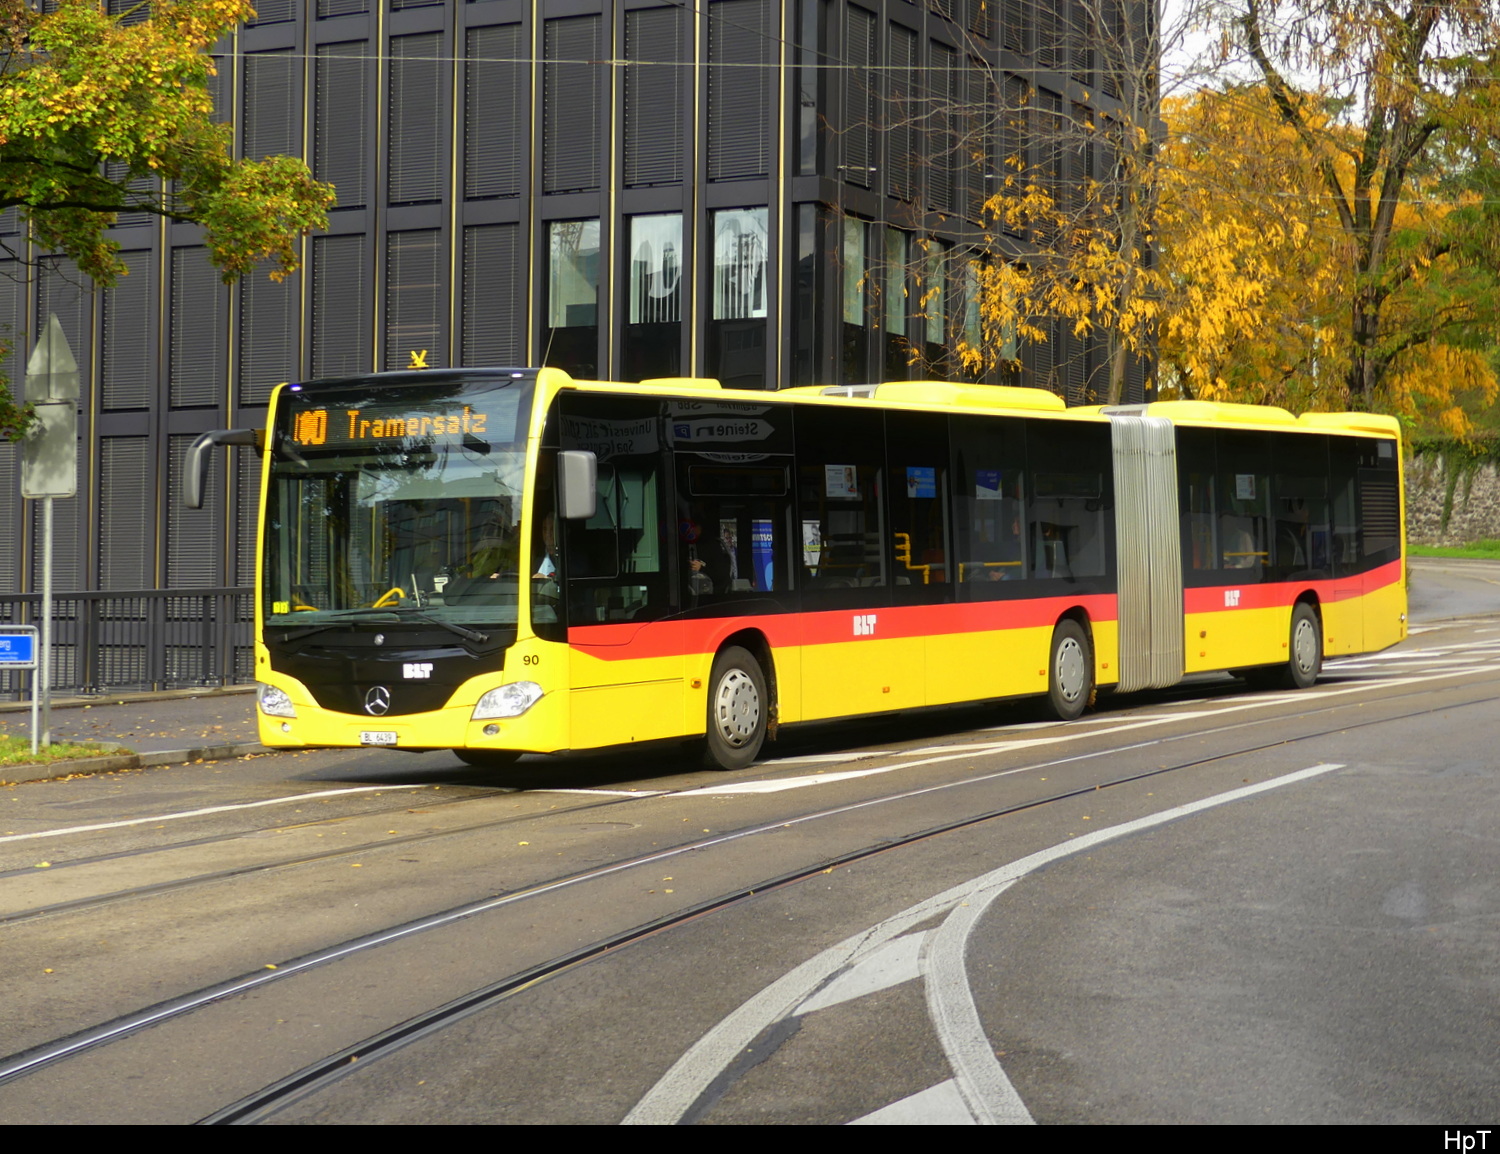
point(1393, 112)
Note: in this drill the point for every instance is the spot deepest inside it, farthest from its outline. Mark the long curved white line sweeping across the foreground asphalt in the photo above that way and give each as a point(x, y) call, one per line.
point(695, 1072)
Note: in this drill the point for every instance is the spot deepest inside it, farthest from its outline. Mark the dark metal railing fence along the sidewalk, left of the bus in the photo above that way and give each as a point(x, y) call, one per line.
point(139, 640)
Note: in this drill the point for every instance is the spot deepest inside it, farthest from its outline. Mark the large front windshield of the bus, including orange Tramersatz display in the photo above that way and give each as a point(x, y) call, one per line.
point(397, 502)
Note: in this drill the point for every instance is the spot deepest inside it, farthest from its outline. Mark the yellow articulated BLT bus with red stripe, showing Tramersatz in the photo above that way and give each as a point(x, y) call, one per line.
point(505, 562)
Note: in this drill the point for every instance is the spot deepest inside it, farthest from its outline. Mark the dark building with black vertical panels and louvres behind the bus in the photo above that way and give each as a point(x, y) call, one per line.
point(772, 193)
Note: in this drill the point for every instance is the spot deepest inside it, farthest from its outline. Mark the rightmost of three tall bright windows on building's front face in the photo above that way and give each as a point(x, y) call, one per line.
point(737, 331)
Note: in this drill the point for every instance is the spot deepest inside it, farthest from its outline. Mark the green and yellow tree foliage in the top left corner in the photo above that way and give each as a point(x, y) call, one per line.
point(112, 113)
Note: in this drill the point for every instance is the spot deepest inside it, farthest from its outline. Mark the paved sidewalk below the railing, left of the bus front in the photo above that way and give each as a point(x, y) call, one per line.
point(160, 729)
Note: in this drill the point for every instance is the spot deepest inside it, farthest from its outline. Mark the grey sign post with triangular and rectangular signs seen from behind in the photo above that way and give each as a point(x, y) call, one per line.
point(50, 469)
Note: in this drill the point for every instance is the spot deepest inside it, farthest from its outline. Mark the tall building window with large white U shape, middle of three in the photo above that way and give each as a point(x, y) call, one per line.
point(653, 340)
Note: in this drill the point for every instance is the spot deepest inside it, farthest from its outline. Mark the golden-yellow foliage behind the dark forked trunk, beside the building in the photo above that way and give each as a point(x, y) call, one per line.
point(1261, 274)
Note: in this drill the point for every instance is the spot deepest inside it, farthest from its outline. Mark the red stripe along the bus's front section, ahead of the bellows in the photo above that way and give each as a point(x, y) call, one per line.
point(674, 639)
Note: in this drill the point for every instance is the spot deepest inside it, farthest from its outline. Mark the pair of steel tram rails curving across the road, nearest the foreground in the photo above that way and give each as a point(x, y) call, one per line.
point(317, 1075)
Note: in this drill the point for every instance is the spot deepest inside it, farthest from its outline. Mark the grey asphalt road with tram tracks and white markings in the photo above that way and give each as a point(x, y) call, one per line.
point(1198, 906)
